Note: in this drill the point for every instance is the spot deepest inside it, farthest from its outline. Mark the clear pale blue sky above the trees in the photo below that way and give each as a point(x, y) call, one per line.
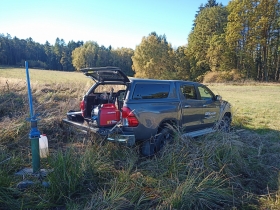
point(119, 23)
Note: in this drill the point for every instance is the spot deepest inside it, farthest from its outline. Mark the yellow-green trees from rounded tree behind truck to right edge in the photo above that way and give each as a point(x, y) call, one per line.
point(242, 38)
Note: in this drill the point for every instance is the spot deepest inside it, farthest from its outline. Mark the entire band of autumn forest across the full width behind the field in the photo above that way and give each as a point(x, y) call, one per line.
point(233, 42)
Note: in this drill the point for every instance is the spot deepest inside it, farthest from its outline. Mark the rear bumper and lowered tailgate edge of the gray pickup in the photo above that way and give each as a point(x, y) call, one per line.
point(115, 134)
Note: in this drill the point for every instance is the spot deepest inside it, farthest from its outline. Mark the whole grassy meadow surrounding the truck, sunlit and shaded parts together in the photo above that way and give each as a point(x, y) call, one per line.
point(236, 170)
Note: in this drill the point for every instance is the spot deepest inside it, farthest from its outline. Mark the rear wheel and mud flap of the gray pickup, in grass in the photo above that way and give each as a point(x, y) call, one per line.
point(151, 147)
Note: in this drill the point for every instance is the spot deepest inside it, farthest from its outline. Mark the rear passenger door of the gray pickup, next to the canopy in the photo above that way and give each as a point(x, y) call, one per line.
point(192, 108)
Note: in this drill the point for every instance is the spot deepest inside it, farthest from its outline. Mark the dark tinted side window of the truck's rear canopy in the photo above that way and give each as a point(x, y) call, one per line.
point(150, 91)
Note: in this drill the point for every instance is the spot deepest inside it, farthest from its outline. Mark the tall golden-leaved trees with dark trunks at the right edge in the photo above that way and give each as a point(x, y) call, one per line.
point(251, 30)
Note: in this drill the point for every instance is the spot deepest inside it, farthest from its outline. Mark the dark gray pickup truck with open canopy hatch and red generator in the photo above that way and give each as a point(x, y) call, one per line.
point(133, 110)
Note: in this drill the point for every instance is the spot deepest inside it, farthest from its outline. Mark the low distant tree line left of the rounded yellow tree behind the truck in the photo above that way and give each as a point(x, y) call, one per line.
point(62, 56)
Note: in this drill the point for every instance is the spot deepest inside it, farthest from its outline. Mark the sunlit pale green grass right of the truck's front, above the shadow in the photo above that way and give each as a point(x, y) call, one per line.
point(255, 106)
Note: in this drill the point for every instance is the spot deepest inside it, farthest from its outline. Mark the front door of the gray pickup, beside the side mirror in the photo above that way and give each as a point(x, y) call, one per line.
point(211, 106)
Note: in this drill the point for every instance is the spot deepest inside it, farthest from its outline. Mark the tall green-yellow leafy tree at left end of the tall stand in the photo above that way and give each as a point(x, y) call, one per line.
point(208, 24)
